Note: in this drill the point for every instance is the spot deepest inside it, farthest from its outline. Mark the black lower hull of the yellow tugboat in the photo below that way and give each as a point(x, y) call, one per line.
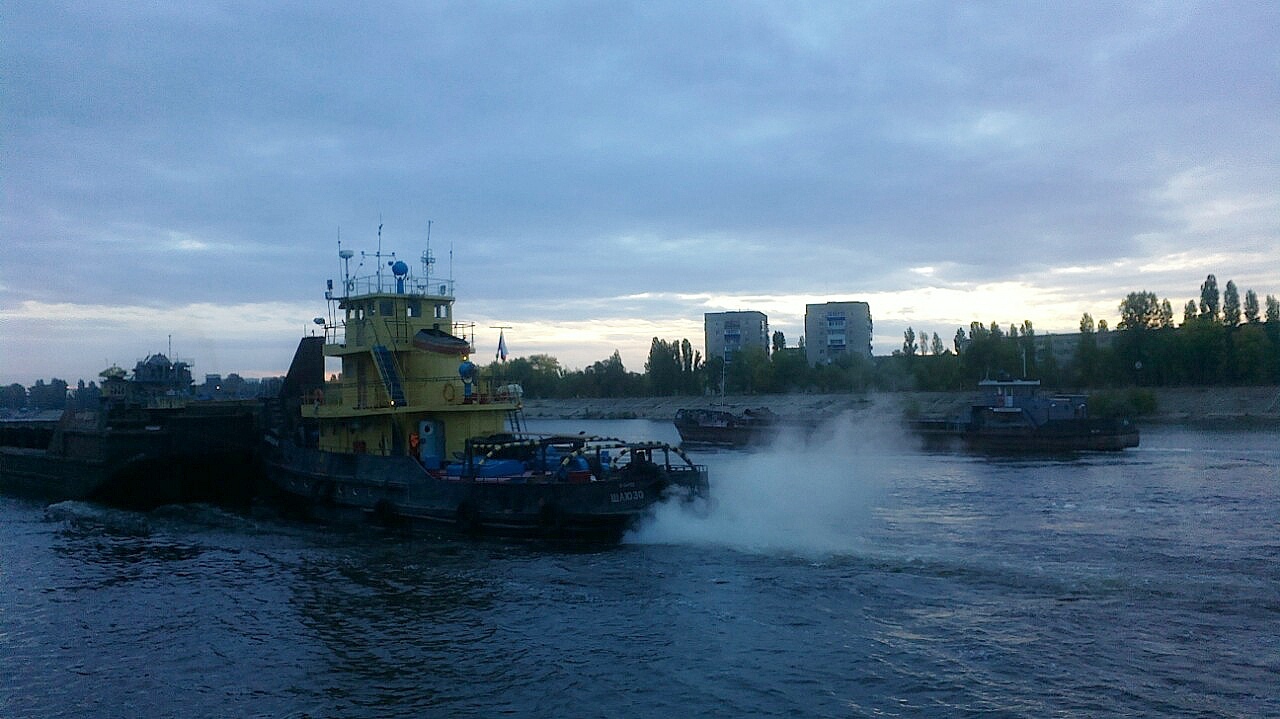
point(396, 491)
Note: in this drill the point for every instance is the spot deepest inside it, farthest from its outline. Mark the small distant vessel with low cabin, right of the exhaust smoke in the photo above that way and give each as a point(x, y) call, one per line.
point(1013, 416)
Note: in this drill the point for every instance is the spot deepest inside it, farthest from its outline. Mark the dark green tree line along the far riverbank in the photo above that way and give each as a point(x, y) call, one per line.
point(1223, 340)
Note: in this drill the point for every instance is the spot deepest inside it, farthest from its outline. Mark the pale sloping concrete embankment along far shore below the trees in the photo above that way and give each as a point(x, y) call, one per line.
point(1224, 407)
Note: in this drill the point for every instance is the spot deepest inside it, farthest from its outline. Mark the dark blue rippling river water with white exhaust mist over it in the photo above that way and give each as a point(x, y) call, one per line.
point(844, 576)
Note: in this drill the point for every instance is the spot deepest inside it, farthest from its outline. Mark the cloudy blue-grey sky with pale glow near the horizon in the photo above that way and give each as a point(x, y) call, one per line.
point(606, 173)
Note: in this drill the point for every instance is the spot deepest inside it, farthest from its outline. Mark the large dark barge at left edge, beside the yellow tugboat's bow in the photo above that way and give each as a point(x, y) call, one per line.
point(148, 445)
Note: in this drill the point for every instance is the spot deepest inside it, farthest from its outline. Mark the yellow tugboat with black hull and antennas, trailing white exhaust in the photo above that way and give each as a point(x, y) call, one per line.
point(409, 434)
